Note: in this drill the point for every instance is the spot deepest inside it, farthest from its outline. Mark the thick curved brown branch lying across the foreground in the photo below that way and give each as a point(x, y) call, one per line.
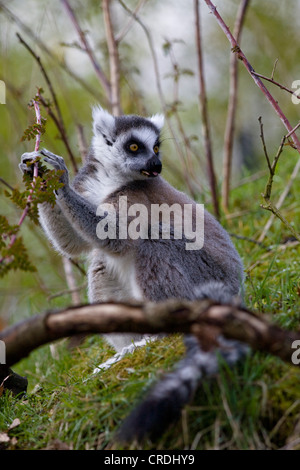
point(171, 316)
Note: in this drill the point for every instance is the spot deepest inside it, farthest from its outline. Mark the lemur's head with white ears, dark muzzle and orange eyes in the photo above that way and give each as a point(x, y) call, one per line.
point(129, 145)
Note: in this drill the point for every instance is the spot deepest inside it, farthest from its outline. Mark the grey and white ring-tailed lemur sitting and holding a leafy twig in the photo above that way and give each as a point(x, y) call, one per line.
point(125, 161)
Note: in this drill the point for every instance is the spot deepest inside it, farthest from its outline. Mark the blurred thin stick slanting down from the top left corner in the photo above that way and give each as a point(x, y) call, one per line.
point(41, 44)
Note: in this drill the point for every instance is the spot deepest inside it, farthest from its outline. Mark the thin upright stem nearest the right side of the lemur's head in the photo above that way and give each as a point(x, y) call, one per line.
point(204, 113)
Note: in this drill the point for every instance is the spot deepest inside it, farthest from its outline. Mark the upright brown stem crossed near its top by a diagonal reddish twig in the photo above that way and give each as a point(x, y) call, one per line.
point(230, 122)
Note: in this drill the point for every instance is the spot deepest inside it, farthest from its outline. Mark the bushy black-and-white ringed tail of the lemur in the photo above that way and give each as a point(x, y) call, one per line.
point(163, 405)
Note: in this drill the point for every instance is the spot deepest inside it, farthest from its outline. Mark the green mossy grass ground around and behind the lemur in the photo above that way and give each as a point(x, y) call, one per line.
point(254, 406)
